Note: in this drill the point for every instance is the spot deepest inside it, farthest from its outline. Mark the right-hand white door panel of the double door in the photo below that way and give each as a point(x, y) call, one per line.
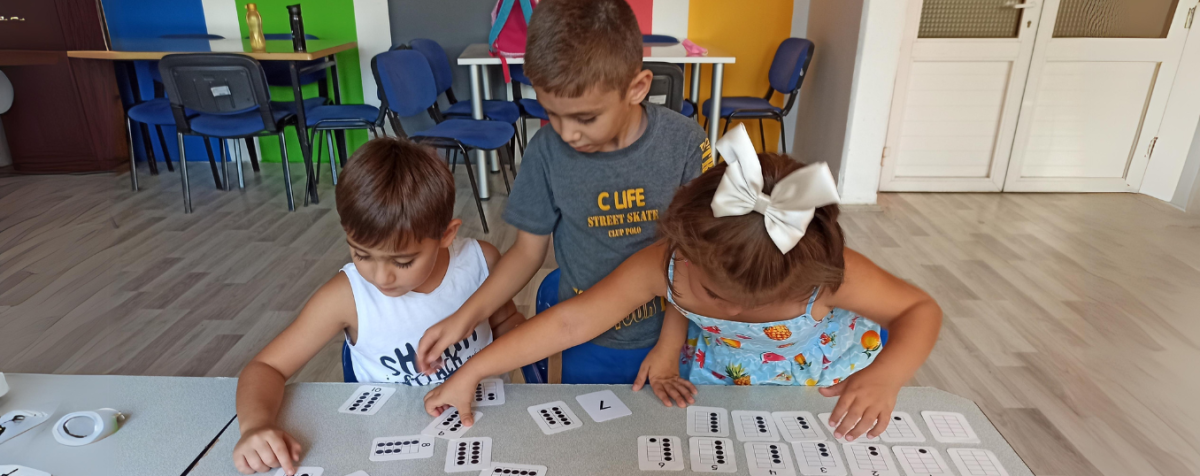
point(1097, 88)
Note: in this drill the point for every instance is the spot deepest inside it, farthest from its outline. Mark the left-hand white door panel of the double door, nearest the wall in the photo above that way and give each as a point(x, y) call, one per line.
point(958, 94)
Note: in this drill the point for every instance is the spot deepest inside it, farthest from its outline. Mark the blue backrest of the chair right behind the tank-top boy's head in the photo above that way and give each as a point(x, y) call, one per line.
point(405, 81)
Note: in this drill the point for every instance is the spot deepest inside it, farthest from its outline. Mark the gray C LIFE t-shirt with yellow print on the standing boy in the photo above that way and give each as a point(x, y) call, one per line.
point(604, 207)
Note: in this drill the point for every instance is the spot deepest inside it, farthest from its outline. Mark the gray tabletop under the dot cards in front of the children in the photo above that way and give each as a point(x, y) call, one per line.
point(340, 443)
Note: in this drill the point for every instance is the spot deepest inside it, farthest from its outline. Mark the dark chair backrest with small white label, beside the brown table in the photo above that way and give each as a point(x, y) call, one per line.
point(215, 85)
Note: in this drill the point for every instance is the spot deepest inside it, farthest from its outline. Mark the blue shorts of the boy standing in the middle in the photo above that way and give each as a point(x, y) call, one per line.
point(591, 364)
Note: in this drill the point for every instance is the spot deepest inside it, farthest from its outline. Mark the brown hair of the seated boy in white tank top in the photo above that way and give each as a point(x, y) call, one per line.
point(394, 192)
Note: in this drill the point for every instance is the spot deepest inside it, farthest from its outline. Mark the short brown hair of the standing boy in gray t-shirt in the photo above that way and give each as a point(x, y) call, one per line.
point(577, 45)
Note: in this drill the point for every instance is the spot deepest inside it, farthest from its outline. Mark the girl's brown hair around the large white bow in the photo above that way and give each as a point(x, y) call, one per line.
point(737, 254)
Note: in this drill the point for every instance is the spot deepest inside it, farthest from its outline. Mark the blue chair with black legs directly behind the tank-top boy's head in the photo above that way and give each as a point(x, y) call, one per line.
point(410, 88)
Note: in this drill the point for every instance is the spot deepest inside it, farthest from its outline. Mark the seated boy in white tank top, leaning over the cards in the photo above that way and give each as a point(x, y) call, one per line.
point(409, 272)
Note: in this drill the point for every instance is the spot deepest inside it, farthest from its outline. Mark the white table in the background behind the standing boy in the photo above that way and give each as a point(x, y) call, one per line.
point(477, 57)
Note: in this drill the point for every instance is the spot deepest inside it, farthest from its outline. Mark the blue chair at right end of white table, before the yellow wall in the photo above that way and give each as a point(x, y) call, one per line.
point(787, 76)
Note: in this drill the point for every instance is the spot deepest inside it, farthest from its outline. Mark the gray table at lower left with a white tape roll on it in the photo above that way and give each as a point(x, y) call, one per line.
point(170, 421)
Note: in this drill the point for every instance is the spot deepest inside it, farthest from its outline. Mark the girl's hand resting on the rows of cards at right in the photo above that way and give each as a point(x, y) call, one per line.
point(867, 400)
